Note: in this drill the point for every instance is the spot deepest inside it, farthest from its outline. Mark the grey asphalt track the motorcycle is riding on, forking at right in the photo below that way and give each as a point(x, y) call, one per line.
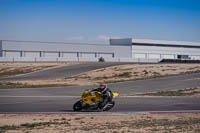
point(61, 99)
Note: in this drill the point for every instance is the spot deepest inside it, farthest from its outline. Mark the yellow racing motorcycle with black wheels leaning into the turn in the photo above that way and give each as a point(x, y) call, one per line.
point(91, 101)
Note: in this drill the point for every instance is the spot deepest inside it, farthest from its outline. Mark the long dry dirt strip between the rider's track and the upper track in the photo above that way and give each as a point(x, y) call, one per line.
point(121, 73)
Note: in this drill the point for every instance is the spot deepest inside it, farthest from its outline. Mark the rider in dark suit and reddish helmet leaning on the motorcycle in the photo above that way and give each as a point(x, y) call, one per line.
point(106, 94)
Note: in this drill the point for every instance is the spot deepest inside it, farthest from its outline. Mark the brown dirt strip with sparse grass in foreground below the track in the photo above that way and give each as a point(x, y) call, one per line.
point(64, 123)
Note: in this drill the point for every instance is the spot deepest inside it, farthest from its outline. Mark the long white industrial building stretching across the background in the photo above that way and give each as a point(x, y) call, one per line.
point(119, 50)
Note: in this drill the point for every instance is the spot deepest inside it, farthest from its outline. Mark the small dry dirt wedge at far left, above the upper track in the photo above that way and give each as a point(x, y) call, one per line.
point(11, 69)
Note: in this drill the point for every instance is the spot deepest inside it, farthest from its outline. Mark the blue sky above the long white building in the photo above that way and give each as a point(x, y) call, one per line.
point(94, 21)
